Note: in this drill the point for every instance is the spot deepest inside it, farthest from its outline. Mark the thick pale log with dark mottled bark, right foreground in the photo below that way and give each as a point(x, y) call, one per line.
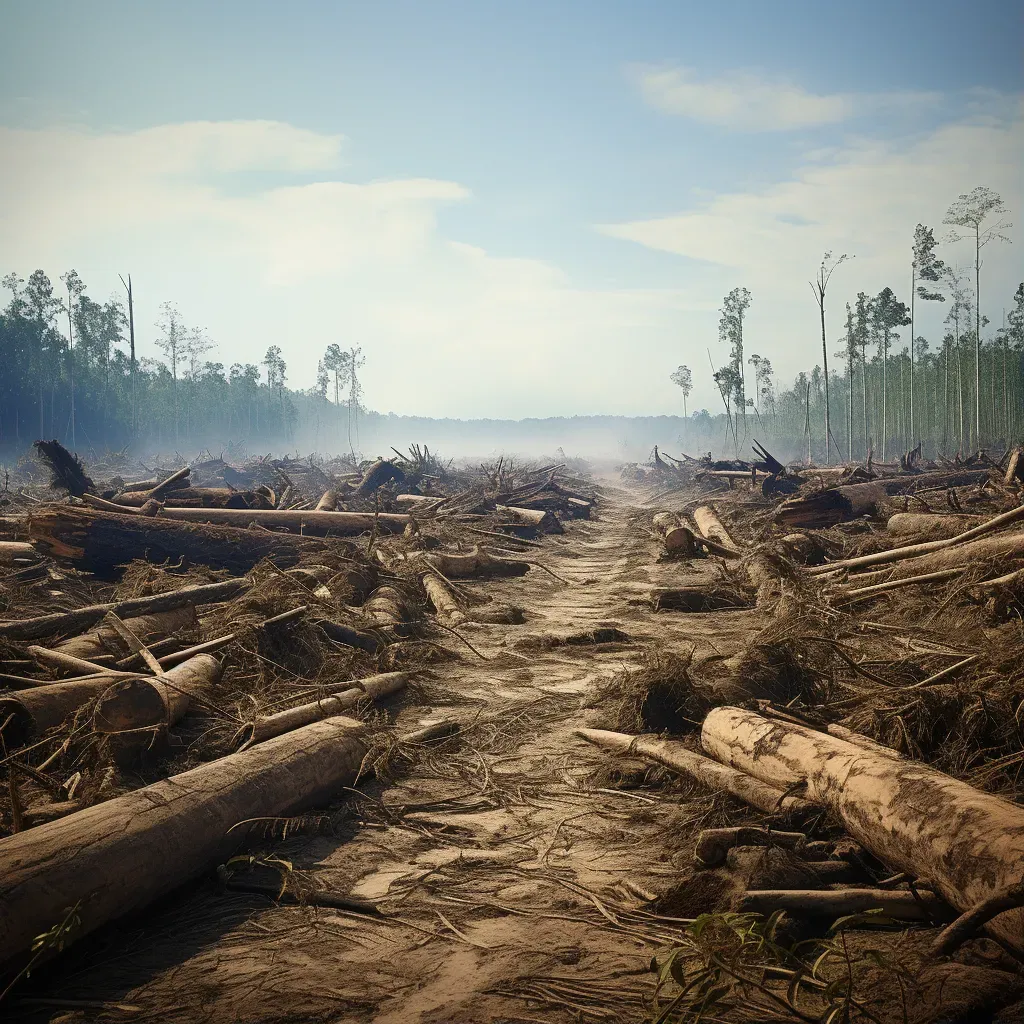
point(968, 844)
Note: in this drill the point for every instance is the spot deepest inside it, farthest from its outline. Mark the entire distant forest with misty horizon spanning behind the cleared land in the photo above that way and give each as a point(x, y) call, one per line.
point(71, 372)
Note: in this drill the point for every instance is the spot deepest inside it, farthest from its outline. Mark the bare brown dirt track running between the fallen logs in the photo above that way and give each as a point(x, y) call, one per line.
point(519, 875)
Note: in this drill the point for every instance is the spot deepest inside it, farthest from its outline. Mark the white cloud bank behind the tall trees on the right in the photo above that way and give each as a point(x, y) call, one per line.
point(864, 199)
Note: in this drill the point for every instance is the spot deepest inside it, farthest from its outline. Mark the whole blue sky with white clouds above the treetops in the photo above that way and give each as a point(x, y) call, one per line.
point(516, 210)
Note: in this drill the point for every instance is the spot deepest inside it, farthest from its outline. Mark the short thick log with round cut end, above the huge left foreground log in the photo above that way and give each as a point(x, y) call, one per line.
point(152, 702)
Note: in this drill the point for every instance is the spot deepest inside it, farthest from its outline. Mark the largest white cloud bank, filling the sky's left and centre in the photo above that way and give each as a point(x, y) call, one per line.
point(448, 328)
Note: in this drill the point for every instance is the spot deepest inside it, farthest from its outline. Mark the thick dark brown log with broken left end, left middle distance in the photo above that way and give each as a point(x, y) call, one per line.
point(103, 542)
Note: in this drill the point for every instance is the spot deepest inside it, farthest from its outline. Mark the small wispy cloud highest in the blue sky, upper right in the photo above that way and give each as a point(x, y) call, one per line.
point(750, 102)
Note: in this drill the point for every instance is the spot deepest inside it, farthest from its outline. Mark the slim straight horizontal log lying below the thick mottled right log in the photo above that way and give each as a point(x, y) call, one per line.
point(922, 906)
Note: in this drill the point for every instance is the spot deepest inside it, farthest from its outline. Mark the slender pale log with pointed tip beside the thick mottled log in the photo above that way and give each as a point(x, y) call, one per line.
point(700, 769)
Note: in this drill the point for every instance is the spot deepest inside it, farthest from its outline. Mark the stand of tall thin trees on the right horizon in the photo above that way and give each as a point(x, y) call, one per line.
point(887, 392)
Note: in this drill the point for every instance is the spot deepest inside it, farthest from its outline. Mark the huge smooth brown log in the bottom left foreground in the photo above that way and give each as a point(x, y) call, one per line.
point(119, 857)
